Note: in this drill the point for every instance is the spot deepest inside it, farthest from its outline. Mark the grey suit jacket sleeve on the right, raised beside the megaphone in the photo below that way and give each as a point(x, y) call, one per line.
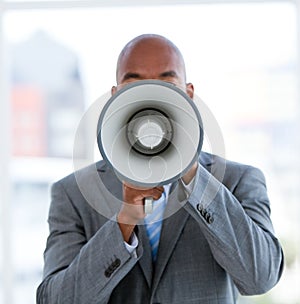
point(236, 223)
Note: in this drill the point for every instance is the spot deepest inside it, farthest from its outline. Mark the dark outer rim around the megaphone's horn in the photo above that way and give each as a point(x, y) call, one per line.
point(140, 83)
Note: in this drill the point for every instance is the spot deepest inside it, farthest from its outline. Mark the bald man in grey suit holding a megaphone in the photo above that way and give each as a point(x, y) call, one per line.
point(218, 244)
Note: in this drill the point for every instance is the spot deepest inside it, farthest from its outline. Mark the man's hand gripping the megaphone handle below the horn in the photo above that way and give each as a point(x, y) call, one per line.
point(132, 210)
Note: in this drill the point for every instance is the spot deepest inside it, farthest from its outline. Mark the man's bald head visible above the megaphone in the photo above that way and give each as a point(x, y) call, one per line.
point(150, 56)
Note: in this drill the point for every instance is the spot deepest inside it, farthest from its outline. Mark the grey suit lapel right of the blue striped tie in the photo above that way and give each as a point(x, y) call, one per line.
point(176, 217)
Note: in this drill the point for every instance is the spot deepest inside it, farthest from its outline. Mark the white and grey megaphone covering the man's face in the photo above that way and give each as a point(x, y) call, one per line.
point(150, 132)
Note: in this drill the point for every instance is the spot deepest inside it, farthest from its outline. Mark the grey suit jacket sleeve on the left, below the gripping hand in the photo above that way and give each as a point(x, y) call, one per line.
point(78, 270)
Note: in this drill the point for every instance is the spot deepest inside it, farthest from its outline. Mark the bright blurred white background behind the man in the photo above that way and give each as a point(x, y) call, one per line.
point(58, 57)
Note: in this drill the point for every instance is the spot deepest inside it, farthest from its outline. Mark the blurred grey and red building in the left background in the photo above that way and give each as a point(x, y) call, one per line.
point(46, 97)
